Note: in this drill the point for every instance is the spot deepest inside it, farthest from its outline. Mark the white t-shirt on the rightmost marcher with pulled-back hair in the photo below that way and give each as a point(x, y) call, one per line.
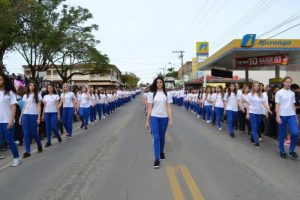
point(286, 99)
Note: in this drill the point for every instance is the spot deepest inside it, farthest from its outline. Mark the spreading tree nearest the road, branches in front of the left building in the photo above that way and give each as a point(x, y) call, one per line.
point(75, 45)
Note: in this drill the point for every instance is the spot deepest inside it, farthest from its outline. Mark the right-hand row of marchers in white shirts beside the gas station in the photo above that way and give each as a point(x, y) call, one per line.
point(248, 108)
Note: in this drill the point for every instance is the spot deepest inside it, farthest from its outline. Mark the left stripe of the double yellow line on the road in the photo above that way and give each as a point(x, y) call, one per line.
point(175, 186)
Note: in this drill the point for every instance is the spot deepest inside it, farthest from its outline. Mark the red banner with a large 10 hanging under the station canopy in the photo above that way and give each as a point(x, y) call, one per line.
point(260, 61)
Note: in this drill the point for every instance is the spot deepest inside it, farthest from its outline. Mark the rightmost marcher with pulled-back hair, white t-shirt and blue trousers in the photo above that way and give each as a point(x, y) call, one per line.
point(286, 115)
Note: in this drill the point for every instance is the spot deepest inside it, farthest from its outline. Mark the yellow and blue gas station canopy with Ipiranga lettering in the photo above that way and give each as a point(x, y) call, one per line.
point(260, 54)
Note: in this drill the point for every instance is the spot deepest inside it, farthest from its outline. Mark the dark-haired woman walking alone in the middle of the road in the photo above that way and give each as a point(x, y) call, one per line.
point(158, 116)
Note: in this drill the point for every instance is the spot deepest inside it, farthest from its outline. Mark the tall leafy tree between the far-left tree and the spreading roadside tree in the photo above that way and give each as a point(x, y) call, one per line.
point(35, 42)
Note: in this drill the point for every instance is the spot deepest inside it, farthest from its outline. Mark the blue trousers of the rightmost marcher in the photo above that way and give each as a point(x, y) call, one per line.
point(291, 121)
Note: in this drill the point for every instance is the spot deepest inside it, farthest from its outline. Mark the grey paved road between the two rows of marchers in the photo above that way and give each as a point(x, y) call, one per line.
point(113, 161)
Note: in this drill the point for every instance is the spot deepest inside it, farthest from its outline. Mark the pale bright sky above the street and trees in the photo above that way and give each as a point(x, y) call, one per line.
point(140, 35)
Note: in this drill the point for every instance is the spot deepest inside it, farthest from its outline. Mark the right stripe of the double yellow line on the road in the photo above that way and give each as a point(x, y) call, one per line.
point(191, 183)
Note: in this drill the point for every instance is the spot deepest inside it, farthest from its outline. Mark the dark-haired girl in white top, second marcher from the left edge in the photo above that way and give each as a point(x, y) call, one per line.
point(30, 118)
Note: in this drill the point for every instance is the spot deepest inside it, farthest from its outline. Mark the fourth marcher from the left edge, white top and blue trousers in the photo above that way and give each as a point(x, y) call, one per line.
point(68, 101)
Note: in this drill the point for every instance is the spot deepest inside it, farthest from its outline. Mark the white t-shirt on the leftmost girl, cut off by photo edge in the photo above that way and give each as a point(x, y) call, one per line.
point(5, 102)
